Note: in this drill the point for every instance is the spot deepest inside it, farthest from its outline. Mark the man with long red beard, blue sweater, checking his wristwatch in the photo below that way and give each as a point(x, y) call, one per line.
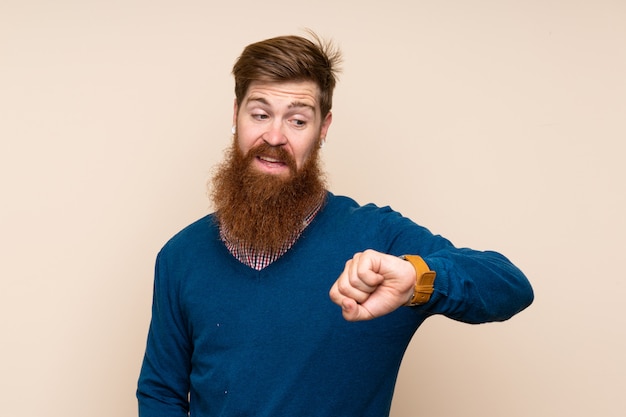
point(242, 321)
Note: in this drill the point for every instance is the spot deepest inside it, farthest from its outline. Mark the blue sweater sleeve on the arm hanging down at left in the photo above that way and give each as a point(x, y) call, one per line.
point(164, 379)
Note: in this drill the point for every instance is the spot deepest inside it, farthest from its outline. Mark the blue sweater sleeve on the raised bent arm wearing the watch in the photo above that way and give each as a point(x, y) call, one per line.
point(471, 286)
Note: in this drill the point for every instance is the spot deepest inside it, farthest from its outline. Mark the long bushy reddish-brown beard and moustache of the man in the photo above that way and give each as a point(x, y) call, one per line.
point(264, 211)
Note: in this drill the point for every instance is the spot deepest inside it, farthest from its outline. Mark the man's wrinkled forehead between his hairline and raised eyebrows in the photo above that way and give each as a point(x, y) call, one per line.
point(290, 94)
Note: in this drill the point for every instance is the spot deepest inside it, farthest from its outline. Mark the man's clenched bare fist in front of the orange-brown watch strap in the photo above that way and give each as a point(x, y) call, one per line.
point(373, 284)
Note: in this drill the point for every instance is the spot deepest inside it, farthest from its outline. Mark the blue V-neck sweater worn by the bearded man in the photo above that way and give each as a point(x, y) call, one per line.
point(227, 340)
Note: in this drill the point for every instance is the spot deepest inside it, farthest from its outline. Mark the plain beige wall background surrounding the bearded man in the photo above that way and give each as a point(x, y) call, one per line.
point(499, 124)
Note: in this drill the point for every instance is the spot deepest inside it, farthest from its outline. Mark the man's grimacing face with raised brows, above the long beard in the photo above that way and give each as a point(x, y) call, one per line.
point(284, 116)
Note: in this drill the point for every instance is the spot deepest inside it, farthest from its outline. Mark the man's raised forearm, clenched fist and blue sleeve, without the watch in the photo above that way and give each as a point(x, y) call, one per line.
point(470, 286)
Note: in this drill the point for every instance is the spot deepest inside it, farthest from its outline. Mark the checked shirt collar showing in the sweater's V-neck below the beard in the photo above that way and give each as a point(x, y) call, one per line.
point(258, 259)
